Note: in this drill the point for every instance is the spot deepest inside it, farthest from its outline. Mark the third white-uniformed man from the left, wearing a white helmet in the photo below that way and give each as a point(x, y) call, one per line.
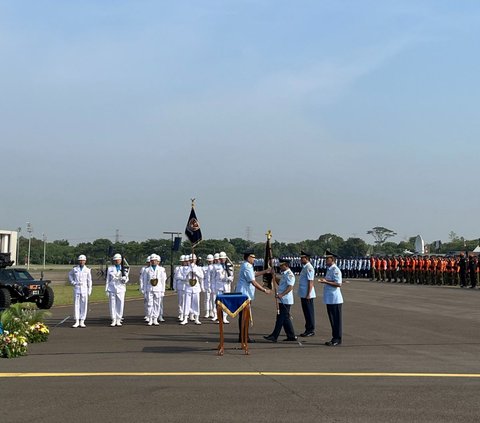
point(154, 278)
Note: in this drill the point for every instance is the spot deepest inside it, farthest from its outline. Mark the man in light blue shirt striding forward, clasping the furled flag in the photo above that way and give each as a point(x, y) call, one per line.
point(285, 299)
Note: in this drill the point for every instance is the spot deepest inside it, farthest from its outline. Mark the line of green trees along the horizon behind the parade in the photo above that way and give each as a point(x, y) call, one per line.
point(61, 252)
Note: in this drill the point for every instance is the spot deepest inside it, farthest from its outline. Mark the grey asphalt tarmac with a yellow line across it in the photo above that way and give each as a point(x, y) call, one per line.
point(409, 354)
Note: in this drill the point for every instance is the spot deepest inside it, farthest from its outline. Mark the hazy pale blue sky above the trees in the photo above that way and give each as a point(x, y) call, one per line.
point(303, 117)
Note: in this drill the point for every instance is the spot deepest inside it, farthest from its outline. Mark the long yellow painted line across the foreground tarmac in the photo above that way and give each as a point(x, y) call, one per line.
point(229, 374)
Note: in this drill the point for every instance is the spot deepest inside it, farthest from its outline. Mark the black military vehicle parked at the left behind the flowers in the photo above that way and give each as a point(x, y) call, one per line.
point(18, 286)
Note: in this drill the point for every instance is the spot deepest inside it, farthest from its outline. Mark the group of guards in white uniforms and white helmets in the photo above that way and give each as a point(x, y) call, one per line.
point(189, 280)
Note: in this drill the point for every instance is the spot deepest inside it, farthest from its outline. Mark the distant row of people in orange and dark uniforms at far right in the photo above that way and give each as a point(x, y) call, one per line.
point(427, 270)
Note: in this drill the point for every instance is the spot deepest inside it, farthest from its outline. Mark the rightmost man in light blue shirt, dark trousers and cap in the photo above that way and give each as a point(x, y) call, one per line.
point(332, 298)
